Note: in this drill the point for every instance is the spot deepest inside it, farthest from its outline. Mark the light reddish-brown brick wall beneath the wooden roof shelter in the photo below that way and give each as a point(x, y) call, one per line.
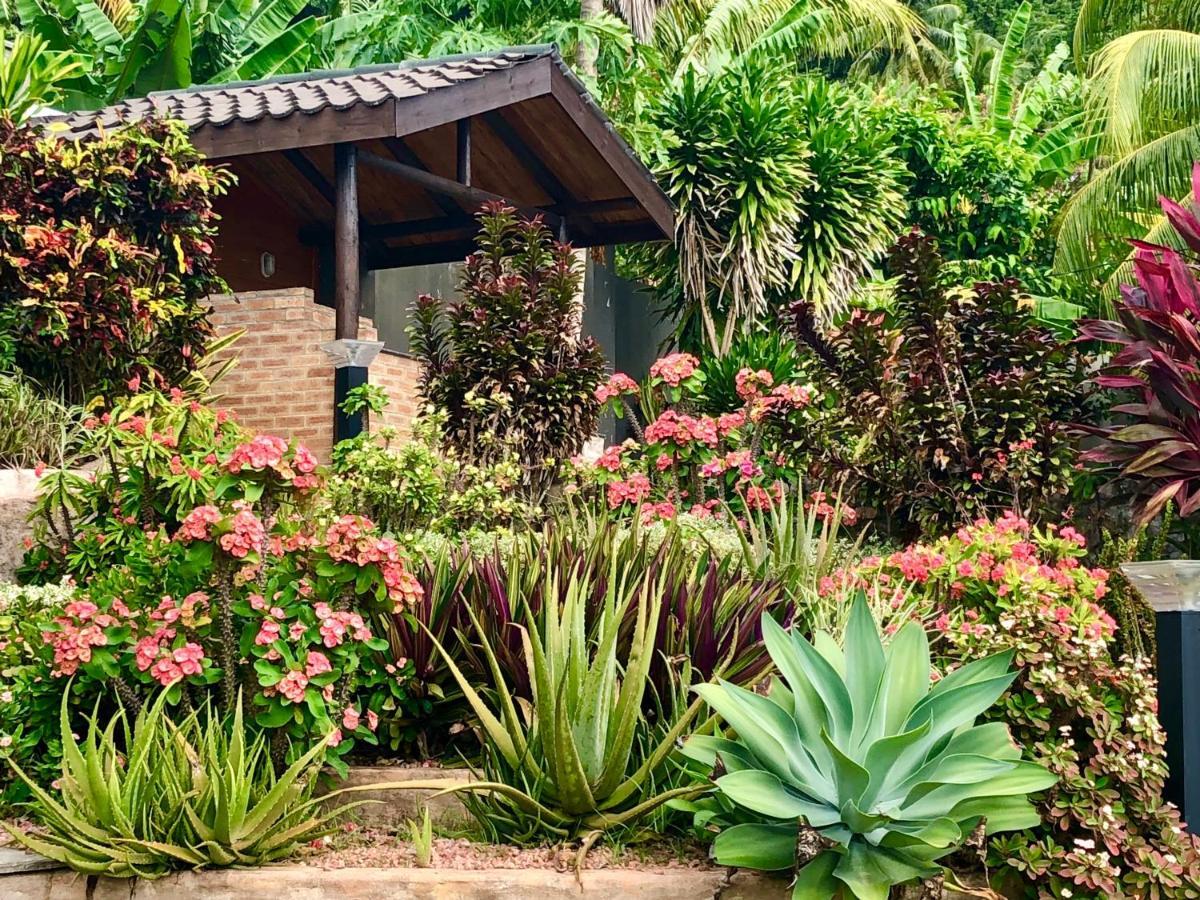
point(284, 385)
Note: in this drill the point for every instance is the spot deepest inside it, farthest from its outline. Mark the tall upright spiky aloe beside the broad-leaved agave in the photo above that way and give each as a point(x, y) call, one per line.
point(581, 759)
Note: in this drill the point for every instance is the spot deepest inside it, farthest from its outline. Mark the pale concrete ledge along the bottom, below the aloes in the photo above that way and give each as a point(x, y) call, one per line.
point(303, 883)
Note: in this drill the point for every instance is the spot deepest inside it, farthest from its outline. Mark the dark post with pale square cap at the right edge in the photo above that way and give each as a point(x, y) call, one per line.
point(1173, 590)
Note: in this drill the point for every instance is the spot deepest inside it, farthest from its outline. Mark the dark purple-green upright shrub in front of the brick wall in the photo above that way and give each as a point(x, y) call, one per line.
point(506, 362)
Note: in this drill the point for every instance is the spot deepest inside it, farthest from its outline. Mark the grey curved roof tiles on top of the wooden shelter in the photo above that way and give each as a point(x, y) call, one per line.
point(310, 93)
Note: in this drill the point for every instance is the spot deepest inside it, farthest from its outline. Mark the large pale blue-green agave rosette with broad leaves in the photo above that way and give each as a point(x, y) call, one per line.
point(857, 772)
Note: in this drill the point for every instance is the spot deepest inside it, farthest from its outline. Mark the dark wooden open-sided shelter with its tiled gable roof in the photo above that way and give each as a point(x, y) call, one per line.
point(386, 166)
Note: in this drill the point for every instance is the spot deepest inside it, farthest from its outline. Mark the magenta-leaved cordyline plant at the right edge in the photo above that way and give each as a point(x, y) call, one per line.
point(1157, 331)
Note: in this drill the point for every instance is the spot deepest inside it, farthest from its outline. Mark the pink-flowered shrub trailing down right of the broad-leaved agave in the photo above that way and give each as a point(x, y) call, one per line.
point(1076, 707)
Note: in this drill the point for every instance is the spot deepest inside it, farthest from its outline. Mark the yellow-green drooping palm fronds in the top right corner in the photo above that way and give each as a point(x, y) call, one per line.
point(1143, 101)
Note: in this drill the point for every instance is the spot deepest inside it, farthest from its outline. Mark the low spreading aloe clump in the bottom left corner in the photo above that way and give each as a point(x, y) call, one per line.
point(158, 796)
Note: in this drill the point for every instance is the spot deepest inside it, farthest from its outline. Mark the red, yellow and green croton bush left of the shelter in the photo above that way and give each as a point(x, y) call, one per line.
point(104, 279)
